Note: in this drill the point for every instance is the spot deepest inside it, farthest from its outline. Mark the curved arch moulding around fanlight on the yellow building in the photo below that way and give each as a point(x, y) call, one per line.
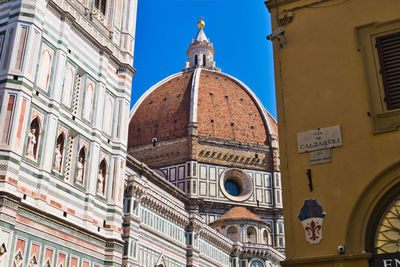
point(369, 207)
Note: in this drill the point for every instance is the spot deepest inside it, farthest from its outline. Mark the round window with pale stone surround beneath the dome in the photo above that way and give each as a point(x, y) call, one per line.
point(236, 185)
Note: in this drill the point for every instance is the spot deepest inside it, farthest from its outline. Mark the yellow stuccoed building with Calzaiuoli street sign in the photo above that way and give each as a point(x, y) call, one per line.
point(337, 72)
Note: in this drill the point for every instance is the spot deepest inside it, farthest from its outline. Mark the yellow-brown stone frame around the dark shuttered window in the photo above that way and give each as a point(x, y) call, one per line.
point(383, 119)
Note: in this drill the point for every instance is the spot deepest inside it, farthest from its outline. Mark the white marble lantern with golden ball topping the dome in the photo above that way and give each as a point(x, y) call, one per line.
point(201, 51)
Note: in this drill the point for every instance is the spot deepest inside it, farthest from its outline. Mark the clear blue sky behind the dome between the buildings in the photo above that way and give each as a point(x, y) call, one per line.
point(237, 29)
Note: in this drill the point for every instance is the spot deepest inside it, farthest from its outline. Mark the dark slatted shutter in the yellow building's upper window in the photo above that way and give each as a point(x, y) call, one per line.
point(388, 47)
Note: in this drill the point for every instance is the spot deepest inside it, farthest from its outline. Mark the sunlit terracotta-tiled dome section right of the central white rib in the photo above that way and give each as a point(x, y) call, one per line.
point(226, 111)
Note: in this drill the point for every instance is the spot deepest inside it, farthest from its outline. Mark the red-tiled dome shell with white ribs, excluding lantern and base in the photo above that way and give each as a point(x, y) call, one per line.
point(221, 106)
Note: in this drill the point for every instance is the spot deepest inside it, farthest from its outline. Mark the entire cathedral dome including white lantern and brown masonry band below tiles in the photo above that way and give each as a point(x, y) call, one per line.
point(195, 113)
